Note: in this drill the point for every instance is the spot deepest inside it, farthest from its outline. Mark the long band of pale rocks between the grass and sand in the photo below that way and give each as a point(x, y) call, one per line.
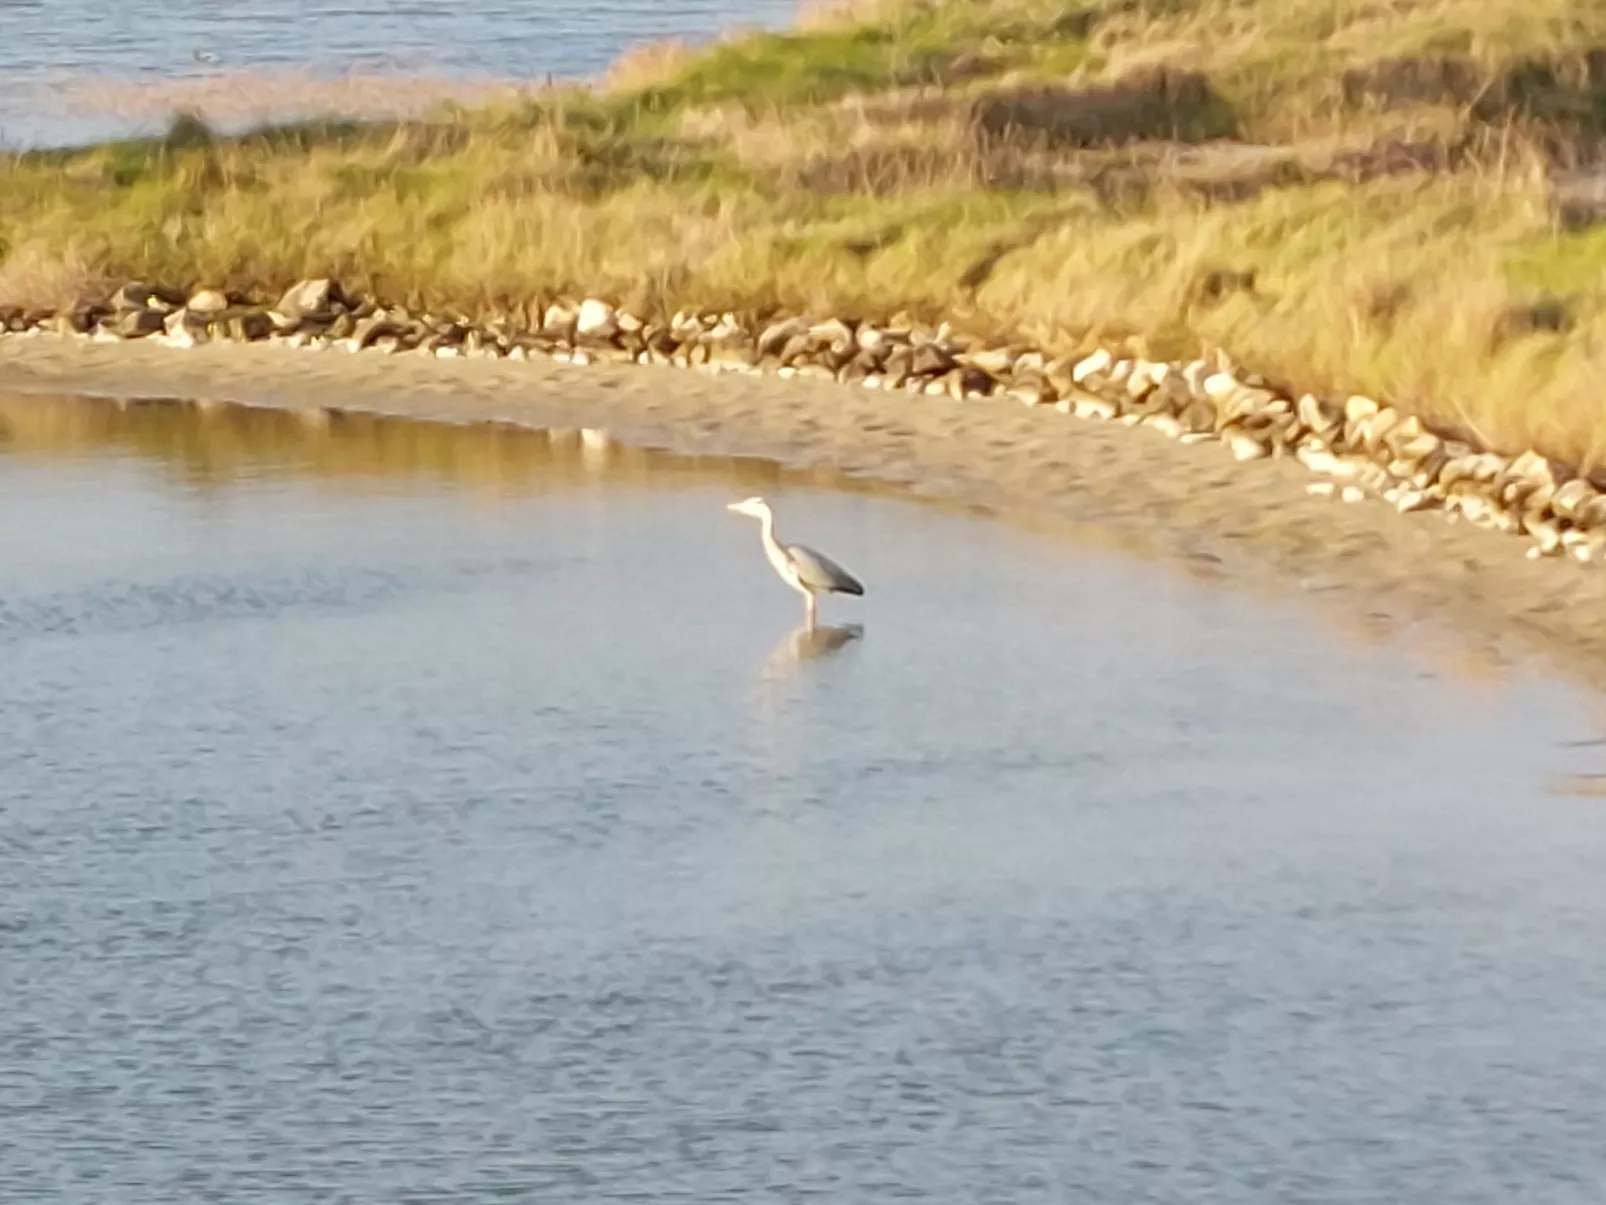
point(1359, 447)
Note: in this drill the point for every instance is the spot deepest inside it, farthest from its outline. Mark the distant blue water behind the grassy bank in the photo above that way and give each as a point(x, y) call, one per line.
point(79, 70)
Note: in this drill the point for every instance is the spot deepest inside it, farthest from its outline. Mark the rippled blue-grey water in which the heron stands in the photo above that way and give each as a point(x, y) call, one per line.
point(401, 815)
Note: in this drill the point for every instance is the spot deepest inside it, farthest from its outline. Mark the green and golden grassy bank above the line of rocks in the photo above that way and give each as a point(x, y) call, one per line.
point(1351, 197)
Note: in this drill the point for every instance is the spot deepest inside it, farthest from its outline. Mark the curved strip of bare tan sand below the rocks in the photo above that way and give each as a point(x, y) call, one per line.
point(1192, 507)
